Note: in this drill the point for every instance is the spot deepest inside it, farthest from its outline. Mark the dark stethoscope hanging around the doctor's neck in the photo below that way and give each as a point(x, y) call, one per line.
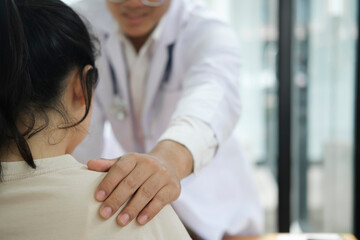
point(118, 107)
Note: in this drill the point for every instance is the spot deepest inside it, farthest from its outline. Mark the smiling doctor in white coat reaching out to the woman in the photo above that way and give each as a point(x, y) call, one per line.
point(169, 87)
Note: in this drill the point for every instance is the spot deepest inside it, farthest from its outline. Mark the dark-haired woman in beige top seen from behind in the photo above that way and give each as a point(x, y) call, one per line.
point(47, 80)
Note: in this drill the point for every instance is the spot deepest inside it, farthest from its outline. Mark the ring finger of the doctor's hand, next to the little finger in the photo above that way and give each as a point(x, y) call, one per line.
point(141, 198)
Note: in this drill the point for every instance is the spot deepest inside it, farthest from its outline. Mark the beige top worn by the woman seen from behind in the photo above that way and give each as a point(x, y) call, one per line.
point(56, 201)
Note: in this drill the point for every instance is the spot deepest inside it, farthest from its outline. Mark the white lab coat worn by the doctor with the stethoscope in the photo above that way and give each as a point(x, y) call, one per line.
point(221, 198)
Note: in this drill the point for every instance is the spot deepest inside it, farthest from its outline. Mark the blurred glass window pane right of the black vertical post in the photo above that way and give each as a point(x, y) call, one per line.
point(324, 79)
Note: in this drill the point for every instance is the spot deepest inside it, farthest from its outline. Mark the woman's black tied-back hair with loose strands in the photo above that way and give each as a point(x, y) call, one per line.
point(41, 43)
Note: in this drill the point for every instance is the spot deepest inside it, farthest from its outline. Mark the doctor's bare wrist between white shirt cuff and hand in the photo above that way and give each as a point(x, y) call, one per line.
point(175, 154)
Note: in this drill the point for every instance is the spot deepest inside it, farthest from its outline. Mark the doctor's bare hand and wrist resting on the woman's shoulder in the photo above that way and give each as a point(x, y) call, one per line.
point(148, 181)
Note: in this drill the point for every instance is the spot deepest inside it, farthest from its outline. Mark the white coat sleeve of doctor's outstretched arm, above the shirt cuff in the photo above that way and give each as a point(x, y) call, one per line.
point(210, 85)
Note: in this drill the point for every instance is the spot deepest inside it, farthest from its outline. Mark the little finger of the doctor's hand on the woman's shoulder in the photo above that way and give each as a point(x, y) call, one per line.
point(165, 196)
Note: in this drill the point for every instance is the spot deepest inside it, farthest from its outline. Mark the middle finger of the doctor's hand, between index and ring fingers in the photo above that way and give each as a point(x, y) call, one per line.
point(126, 188)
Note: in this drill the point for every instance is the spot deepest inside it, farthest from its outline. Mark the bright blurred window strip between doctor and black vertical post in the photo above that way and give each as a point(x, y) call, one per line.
point(255, 23)
